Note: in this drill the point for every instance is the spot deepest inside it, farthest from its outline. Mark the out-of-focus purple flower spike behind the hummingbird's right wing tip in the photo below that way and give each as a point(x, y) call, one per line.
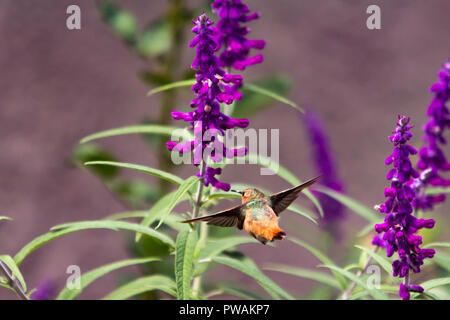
point(325, 165)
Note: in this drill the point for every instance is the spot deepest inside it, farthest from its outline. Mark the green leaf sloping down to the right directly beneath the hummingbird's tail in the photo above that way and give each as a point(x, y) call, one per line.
point(253, 271)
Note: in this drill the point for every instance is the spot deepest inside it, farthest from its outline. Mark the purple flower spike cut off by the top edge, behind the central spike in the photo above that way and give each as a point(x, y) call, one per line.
point(231, 35)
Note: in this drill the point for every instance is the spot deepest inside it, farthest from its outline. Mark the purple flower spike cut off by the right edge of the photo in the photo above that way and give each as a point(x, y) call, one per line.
point(432, 159)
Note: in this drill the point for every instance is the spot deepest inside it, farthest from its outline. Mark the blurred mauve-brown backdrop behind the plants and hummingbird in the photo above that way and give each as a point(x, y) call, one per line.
point(58, 86)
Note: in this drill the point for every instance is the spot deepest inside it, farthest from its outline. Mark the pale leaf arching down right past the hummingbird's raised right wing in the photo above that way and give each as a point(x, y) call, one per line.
point(285, 174)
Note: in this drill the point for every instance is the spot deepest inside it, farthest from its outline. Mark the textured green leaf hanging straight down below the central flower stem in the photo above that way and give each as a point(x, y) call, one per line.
point(184, 260)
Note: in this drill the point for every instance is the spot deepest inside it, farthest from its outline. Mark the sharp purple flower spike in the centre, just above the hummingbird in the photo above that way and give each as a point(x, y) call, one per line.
point(213, 86)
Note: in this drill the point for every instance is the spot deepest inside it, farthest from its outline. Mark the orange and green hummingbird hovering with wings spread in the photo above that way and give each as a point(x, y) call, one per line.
point(258, 213)
